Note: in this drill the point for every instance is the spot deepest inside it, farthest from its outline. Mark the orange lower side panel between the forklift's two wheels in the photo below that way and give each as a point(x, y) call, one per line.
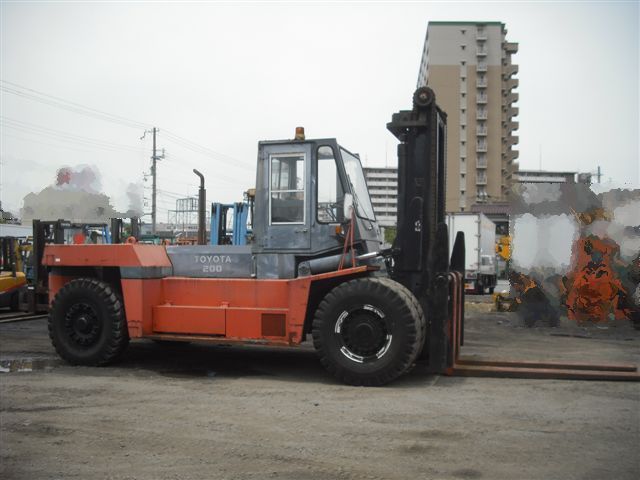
point(229, 308)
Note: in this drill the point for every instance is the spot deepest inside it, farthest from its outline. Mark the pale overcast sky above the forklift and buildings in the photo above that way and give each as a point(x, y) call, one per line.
point(228, 75)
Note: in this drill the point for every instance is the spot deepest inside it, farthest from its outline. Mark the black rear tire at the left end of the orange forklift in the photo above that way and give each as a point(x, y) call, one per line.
point(109, 338)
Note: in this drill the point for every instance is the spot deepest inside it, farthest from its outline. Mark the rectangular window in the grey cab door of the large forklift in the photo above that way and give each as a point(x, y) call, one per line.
point(287, 188)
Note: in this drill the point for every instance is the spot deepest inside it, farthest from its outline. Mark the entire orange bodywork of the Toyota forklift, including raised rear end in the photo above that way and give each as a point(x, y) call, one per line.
point(222, 309)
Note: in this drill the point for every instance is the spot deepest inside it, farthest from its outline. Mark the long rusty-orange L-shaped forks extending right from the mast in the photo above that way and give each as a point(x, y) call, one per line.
point(471, 367)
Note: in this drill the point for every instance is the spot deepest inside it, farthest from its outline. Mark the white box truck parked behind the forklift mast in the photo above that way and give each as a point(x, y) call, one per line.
point(480, 239)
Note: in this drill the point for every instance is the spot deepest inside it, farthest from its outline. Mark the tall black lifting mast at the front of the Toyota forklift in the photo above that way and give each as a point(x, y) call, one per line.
point(421, 249)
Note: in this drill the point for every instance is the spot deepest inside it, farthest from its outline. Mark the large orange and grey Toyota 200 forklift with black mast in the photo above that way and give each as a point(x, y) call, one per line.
point(315, 265)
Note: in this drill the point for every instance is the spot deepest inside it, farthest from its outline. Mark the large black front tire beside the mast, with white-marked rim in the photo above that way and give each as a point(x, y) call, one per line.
point(402, 318)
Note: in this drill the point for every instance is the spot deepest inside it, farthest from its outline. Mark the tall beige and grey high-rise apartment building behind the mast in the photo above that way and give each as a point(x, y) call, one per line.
point(468, 65)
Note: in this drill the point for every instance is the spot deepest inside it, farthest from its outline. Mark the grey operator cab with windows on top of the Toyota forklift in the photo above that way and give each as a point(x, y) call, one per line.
point(305, 193)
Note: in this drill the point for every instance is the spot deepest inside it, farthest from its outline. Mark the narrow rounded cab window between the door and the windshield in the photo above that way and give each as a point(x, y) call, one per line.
point(330, 190)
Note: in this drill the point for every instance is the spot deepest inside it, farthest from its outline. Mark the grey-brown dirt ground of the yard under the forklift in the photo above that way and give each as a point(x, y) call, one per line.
point(202, 411)
